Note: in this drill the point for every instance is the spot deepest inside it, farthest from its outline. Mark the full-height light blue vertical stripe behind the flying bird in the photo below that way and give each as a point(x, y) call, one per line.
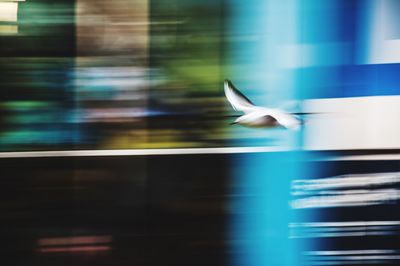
point(259, 66)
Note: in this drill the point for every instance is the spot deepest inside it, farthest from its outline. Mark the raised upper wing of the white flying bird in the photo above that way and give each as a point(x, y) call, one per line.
point(238, 101)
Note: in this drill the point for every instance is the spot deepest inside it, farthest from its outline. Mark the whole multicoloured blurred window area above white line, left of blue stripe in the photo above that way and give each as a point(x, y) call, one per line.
point(47, 103)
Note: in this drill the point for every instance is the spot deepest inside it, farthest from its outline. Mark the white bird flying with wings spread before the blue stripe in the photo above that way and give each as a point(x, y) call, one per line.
point(258, 116)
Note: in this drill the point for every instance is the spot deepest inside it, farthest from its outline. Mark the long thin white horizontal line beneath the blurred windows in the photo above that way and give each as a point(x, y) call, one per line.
point(139, 152)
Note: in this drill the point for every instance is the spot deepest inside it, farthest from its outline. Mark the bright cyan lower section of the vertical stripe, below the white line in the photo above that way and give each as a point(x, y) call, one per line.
point(261, 212)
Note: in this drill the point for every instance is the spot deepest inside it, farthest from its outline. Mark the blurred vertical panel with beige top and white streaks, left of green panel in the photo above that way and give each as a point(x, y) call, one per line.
point(111, 71)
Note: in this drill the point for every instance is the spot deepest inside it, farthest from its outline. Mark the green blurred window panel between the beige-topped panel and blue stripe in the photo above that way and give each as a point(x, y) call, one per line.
point(187, 39)
